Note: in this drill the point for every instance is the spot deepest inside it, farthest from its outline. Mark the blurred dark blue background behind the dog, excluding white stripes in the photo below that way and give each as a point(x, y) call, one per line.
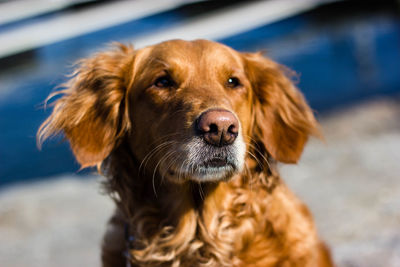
point(344, 52)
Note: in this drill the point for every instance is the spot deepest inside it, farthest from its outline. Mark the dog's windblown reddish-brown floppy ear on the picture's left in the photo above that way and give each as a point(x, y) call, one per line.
point(91, 109)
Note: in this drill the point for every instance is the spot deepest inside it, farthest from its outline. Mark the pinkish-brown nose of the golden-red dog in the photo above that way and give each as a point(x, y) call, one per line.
point(219, 127)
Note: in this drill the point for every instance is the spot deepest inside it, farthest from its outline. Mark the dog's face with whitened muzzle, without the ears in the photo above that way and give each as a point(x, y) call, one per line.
point(190, 110)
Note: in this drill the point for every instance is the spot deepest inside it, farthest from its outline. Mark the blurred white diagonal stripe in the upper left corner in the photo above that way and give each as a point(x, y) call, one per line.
point(79, 22)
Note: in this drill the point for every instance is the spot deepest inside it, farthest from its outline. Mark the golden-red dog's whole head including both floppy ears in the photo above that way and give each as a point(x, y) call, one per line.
point(189, 110)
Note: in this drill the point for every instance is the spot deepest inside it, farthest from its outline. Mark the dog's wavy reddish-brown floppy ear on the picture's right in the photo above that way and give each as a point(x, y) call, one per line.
point(282, 119)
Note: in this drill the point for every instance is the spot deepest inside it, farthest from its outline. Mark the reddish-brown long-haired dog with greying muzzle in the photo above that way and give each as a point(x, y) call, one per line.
point(189, 135)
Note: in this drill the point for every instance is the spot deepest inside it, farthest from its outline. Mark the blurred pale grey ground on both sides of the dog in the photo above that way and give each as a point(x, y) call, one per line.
point(351, 183)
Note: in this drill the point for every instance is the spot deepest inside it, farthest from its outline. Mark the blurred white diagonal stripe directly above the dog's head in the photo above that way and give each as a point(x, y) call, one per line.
point(230, 21)
